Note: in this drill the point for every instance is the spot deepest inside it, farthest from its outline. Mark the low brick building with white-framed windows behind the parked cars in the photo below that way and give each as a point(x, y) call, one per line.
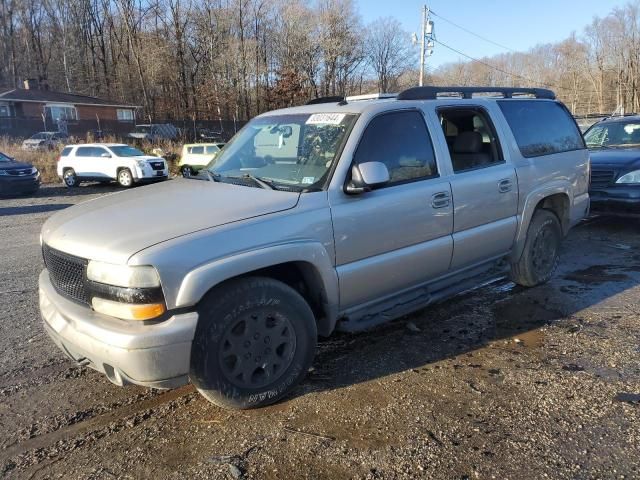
point(34, 108)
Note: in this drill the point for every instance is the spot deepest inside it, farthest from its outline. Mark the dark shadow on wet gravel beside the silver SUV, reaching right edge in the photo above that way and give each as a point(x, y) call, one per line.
point(599, 261)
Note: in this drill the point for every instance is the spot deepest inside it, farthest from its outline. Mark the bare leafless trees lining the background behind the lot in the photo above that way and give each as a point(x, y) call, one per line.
point(209, 59)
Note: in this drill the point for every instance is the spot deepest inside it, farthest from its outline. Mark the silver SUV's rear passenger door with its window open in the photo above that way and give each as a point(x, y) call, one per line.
point(484, 186)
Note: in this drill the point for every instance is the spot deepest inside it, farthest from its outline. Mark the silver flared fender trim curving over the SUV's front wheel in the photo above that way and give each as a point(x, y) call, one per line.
point(200, 280)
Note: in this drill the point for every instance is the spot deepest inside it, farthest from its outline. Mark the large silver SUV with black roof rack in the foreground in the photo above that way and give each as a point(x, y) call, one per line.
point(333, 215)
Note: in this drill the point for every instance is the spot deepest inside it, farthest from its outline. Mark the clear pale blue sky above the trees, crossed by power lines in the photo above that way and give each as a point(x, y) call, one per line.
point(516, 24)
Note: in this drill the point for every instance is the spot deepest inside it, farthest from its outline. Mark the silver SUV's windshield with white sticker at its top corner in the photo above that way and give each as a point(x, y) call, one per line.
point(292, 151)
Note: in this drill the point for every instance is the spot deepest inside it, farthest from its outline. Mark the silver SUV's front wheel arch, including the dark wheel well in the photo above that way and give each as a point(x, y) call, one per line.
point(306, 267)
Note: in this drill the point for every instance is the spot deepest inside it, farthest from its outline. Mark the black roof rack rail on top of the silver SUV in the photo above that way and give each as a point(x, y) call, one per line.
point(433, 93)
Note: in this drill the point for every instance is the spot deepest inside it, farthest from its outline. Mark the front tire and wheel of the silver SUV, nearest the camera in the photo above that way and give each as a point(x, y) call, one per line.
point(255, 340)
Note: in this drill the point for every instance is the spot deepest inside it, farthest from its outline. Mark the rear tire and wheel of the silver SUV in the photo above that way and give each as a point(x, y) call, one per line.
point(541, 250)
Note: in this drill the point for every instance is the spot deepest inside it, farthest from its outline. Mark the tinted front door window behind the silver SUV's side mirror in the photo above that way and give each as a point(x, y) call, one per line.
point(401, 141)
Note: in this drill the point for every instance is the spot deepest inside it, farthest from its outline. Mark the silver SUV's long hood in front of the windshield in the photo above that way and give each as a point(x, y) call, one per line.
point(114, 227)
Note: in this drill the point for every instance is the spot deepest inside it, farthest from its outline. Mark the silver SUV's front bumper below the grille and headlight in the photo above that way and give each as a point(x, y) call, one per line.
point(152, 355)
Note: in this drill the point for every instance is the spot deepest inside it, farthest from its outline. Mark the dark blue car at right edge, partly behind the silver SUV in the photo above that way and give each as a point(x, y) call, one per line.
point(614, 146)
